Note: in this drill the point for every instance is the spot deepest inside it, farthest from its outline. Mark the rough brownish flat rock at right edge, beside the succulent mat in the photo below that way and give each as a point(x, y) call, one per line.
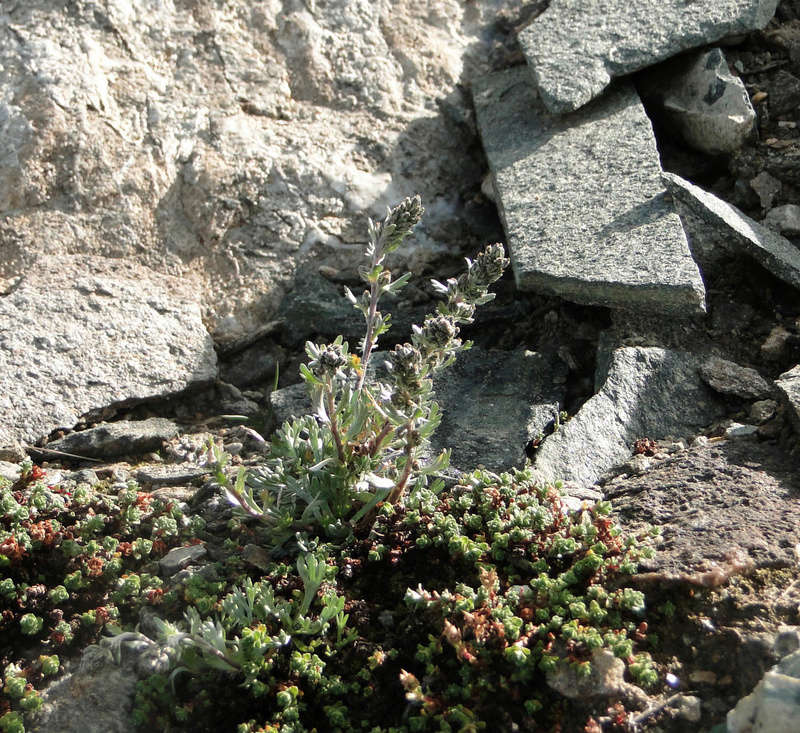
point(737, 496)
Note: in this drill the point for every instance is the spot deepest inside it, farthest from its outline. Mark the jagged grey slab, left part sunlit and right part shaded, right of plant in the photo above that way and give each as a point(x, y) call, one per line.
point(646, 392)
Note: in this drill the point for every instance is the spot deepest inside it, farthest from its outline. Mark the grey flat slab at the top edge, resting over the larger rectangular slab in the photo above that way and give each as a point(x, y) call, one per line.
point(575, 48)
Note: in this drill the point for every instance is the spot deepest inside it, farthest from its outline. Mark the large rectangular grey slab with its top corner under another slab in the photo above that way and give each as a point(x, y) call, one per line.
point(582, 201)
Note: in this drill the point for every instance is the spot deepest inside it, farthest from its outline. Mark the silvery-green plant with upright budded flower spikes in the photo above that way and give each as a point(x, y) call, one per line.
point(360, 445)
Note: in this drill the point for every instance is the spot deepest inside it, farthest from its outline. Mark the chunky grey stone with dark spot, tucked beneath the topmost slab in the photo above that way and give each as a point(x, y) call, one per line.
point(703, 100)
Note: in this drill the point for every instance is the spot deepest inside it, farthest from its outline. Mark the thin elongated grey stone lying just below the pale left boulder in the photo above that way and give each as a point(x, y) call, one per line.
point(110, 440)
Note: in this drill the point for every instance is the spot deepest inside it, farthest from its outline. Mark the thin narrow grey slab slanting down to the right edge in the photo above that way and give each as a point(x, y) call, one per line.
point(774, 252)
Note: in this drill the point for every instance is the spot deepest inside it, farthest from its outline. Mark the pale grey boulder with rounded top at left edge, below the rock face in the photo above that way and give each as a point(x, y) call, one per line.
point(80, 333)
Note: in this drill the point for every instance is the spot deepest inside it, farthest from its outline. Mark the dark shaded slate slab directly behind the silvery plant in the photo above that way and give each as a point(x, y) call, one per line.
point(493, 403)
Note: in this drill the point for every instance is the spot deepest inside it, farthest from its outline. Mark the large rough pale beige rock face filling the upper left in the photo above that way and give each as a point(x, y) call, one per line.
point(226, 142)
